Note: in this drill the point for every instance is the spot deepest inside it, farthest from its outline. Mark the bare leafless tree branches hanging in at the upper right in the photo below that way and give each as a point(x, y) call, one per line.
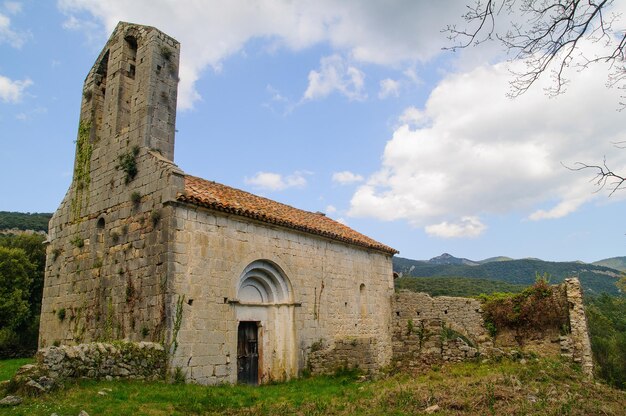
point(548, 35)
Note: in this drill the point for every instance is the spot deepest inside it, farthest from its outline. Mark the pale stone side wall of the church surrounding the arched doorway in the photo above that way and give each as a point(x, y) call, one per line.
point(327, 303)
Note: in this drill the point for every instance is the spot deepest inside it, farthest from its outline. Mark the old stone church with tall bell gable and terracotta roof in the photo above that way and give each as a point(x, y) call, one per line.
point(237, 287)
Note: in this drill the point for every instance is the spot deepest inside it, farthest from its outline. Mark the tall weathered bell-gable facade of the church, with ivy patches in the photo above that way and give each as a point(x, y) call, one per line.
point(107, 262)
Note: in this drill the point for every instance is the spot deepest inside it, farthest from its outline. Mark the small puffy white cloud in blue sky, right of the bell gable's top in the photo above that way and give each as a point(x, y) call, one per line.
point(335, 74)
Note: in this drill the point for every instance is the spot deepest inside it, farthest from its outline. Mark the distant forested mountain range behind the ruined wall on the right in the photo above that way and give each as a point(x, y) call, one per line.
point(594, 279)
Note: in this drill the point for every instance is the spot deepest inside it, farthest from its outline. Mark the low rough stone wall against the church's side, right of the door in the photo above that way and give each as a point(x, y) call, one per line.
point(352, 353)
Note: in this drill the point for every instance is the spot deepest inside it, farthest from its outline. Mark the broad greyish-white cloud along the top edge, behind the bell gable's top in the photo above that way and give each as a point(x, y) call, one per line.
point(211, 31)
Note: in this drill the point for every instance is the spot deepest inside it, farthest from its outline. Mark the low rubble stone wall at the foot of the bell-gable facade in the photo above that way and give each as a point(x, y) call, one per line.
point(128, 360)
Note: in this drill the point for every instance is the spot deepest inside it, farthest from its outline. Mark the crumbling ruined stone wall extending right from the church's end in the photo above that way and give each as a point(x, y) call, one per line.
point(428, 330)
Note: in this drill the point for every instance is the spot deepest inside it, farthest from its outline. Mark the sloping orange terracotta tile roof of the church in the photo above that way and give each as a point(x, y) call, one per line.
point(234, 201)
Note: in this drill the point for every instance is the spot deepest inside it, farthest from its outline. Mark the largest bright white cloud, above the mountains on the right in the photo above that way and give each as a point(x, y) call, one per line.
point(472, 152)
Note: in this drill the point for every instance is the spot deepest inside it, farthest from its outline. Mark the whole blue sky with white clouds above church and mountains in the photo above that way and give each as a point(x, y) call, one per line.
point(351, 108)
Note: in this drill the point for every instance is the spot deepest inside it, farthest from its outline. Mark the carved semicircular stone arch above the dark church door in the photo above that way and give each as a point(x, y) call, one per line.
point(263, 282)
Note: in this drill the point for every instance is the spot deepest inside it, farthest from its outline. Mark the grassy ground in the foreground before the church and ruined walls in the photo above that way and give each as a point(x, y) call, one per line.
point(541, 387)
